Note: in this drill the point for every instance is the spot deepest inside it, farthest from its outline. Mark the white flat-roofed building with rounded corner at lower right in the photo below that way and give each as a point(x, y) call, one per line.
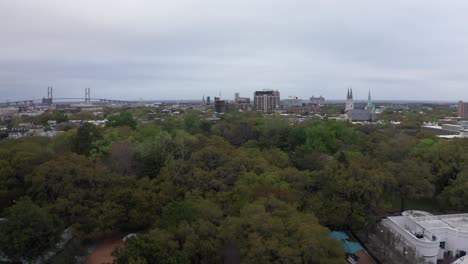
point(431, 235)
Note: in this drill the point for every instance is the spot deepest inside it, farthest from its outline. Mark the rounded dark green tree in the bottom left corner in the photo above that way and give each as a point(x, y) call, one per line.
point(28, 231)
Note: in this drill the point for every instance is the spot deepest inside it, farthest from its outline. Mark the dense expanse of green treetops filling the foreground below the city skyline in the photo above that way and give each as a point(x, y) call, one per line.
point(264, 187)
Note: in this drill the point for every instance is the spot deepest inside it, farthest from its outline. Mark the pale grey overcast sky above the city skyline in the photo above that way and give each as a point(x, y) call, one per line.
point(180, 49)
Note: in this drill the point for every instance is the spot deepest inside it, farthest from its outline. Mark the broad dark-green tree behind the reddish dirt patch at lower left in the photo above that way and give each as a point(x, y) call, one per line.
point(85, 194)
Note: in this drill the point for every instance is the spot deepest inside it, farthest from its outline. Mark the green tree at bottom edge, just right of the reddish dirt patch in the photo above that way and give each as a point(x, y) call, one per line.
point(186, 233)
